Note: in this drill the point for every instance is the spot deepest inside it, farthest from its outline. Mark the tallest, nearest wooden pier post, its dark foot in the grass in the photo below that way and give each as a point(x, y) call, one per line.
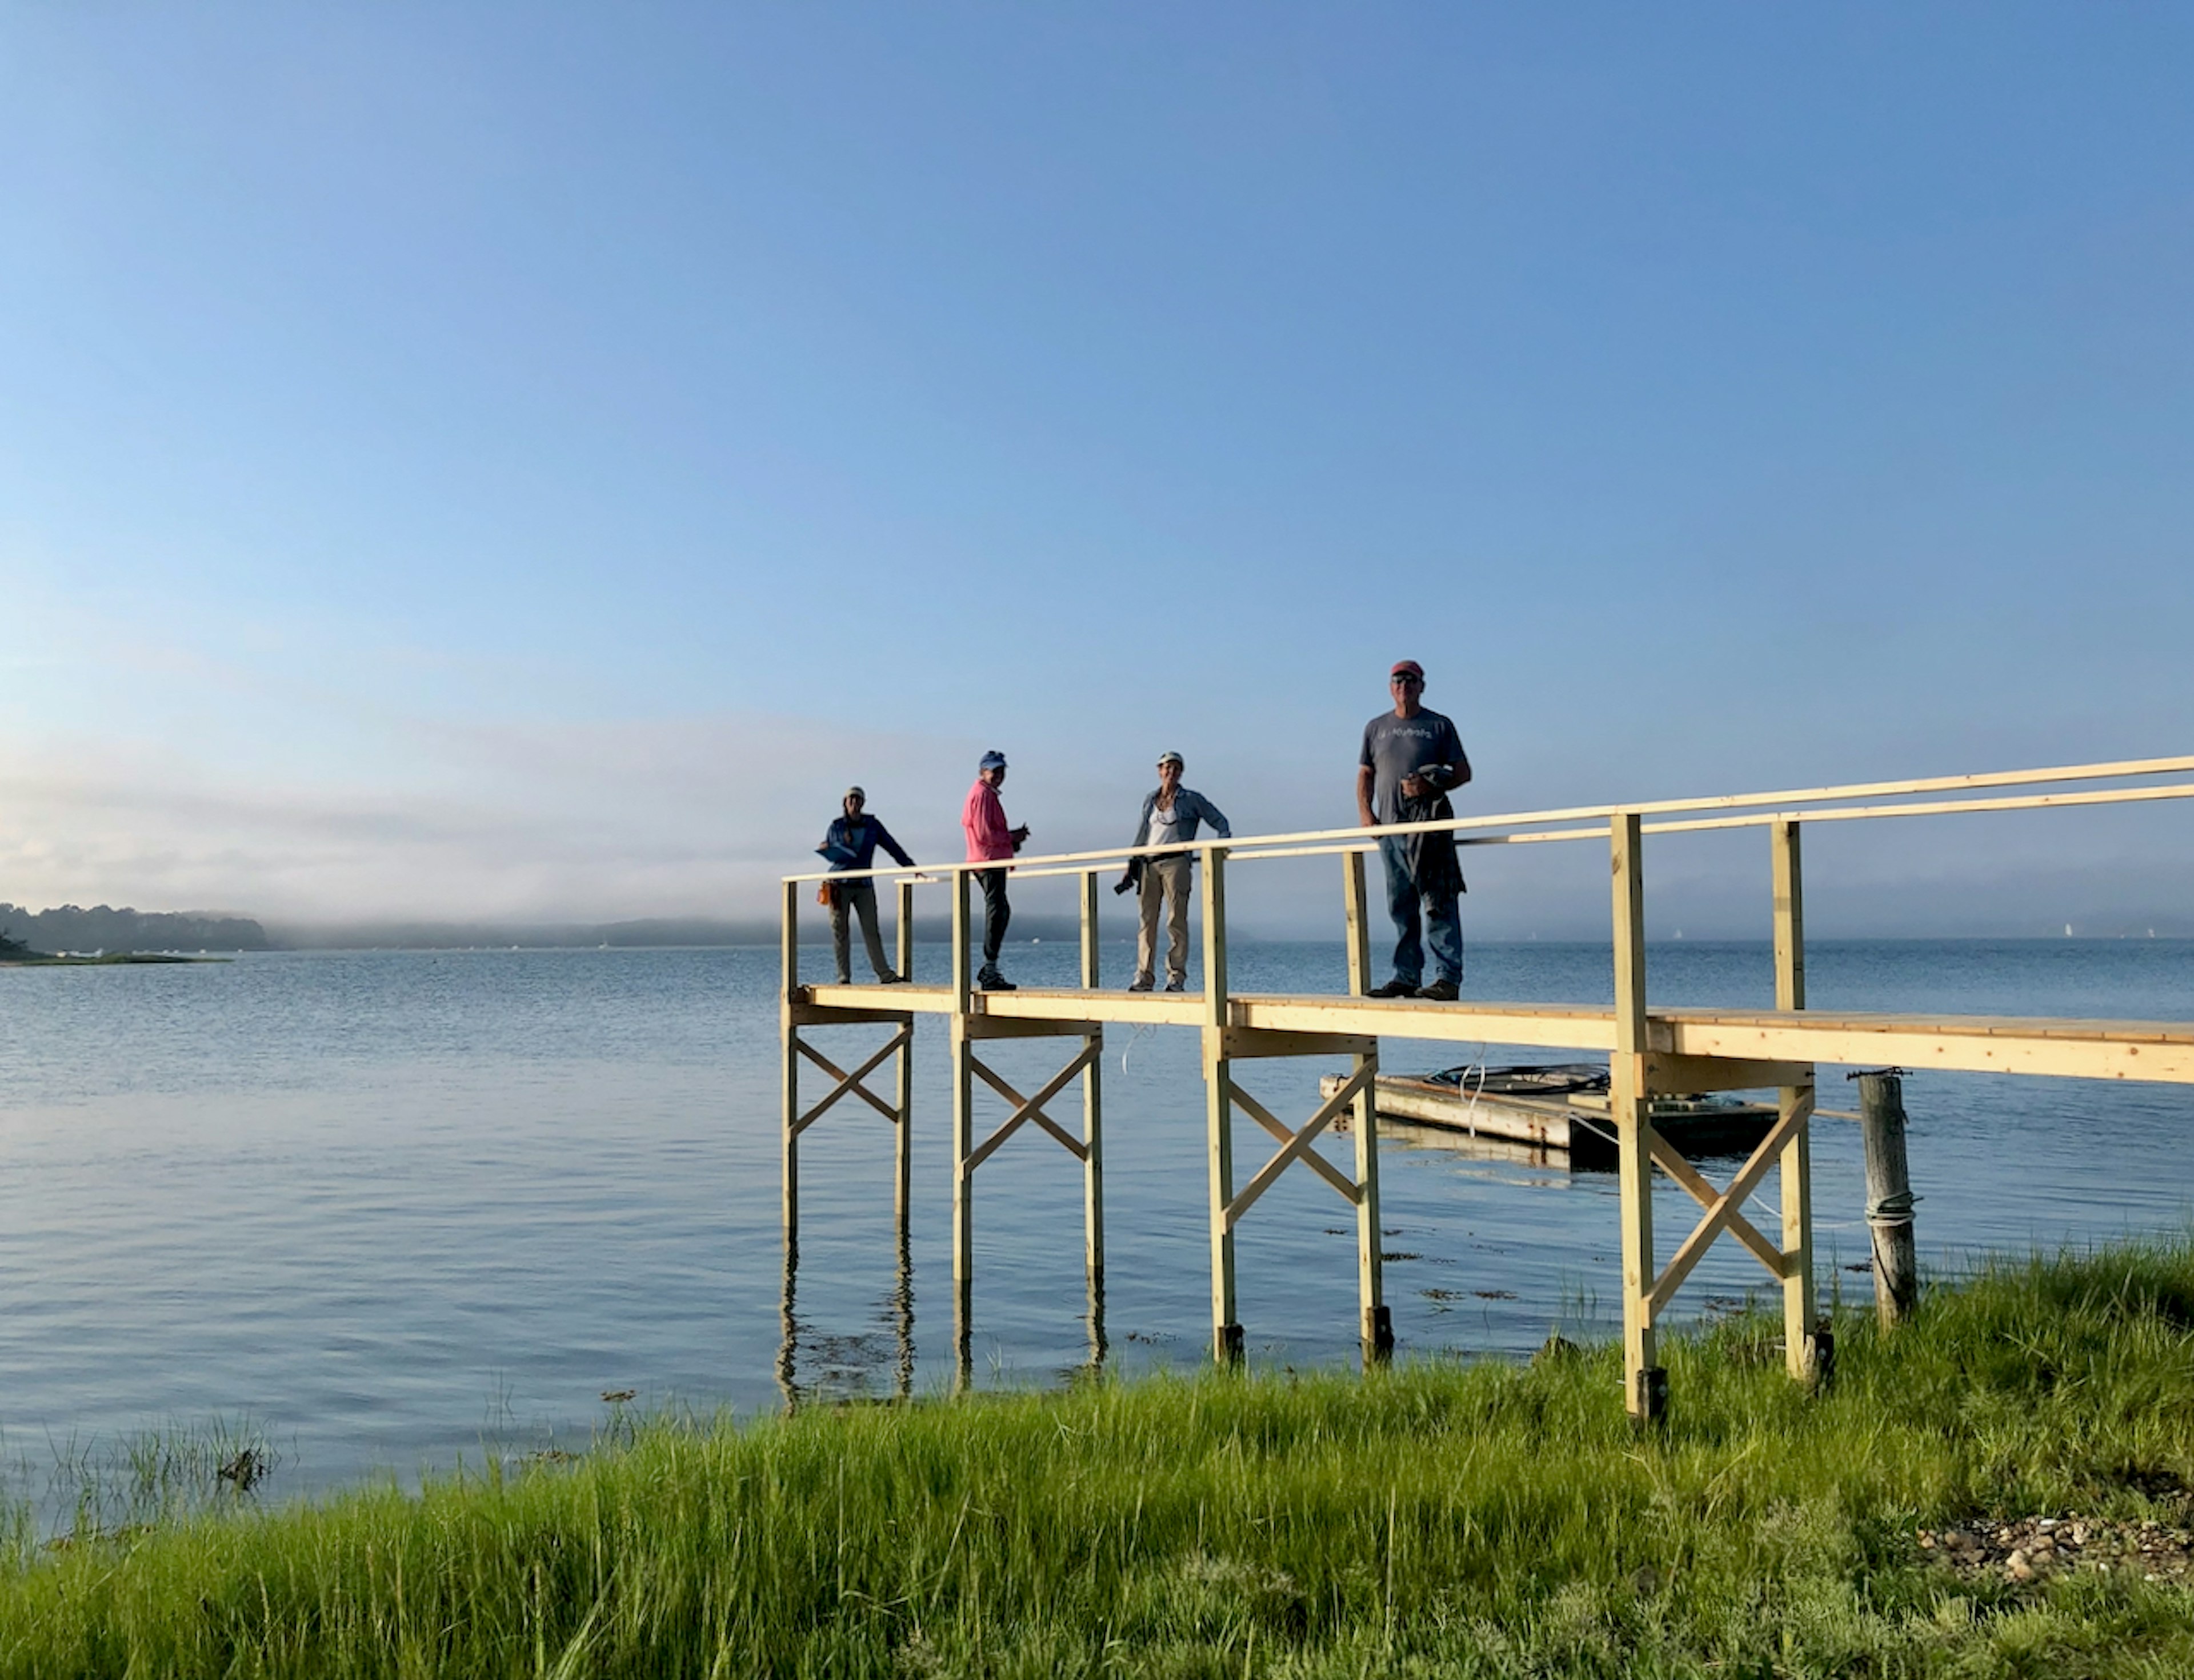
point(1631, 1109)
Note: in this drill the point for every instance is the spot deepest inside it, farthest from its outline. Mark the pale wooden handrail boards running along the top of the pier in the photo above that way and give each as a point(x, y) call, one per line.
point(1820, 799)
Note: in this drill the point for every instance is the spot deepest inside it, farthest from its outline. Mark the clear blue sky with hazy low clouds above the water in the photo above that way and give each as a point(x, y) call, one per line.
point(525, 462)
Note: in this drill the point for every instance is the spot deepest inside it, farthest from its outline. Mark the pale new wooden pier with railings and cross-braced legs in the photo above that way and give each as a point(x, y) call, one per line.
point(1651, 1052)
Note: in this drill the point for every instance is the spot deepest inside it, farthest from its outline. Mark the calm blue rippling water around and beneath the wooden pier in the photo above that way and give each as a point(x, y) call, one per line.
point(407, 1210)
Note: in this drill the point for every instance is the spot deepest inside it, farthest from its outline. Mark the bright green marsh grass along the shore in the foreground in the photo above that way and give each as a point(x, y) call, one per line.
point(1432, 1521)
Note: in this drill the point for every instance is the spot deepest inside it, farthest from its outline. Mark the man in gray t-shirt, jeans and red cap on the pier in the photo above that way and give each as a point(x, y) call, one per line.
point(1414, 753)
